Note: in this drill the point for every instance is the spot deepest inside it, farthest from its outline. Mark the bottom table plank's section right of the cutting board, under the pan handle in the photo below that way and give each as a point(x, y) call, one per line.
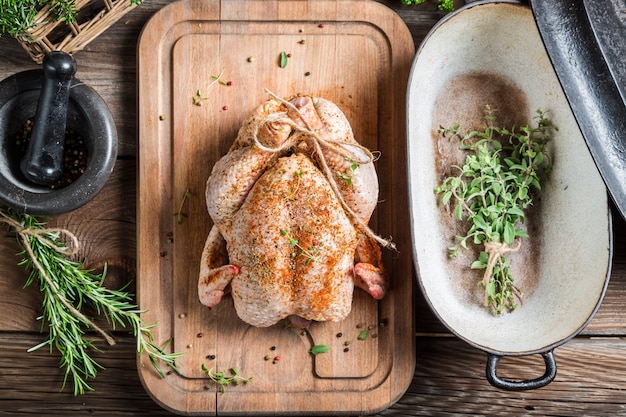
point(449, 381)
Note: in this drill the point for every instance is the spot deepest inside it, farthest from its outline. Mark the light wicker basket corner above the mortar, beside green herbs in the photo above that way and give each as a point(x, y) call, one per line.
point(93, 18)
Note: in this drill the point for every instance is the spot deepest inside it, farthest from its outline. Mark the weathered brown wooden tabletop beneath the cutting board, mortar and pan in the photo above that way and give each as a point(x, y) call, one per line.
point(449, 375)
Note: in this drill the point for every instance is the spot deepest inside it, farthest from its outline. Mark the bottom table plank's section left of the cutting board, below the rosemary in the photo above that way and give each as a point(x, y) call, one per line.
point(31, 382)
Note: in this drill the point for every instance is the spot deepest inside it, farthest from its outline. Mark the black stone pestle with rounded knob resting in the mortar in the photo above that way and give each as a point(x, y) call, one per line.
point(43, 162)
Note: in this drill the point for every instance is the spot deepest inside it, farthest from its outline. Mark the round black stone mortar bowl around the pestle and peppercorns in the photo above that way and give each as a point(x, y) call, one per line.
point(87, 113)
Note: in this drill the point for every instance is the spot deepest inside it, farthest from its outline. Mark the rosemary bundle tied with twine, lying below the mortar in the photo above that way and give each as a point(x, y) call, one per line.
point(67, 289)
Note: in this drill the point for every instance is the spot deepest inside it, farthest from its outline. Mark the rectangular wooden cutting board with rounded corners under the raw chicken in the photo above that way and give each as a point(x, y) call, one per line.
point(355, 53)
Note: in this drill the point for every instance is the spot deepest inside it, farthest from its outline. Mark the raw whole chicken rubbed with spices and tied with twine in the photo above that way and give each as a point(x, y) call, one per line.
point(290, 203)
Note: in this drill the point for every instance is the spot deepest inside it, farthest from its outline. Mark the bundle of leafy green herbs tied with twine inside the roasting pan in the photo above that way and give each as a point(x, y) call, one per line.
point(492, 191)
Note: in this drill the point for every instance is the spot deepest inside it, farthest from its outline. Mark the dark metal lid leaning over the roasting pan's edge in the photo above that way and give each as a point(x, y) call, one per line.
point(586, 41)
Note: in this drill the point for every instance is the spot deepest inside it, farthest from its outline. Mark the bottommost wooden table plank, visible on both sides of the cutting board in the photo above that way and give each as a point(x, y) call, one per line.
point(448, 381)
